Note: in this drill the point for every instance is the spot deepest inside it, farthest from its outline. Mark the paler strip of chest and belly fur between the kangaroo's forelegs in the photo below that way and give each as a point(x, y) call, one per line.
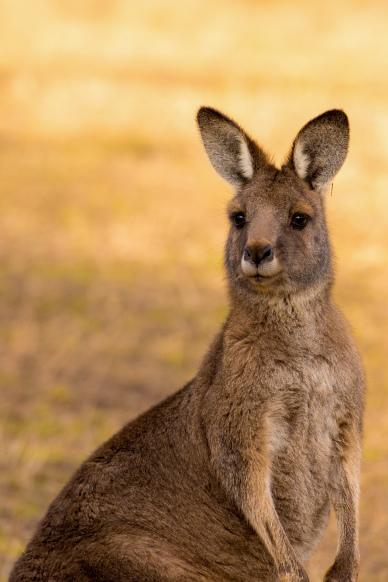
point(303, 429)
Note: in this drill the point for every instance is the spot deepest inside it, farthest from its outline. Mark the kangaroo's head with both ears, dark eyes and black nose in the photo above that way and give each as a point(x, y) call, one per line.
point(278, 241)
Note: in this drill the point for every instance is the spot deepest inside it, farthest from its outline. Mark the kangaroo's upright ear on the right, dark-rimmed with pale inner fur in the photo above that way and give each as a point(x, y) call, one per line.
point(320, 149)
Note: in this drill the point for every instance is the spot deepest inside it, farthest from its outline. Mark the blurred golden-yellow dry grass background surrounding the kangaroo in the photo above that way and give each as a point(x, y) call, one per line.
point(112, 221)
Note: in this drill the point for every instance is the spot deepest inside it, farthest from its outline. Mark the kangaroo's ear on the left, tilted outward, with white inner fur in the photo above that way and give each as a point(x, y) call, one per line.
point(233, 154)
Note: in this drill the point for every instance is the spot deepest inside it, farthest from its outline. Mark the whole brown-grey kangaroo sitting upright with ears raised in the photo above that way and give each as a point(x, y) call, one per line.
point(232, 477)
